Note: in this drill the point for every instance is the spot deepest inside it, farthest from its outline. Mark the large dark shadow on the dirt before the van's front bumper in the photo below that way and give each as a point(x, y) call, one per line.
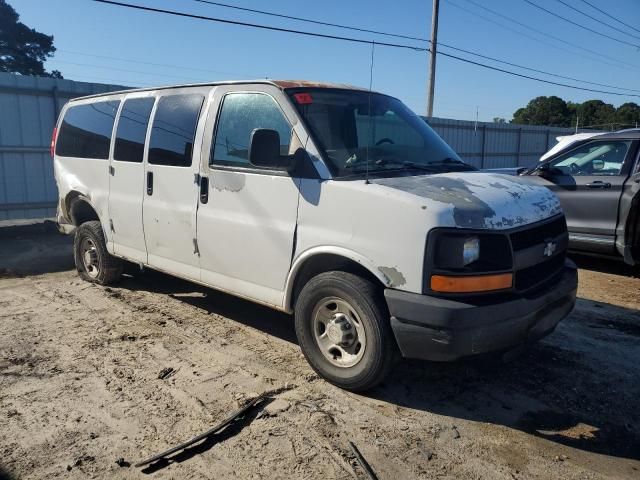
point(547, 392)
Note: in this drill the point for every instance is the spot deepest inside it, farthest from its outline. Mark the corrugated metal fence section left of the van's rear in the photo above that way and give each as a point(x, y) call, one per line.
point(29, 107)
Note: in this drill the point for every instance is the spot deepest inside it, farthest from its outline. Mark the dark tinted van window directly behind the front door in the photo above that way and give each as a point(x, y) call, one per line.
point(174, 129)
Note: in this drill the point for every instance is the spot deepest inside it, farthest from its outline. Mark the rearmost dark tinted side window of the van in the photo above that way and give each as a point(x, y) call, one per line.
point(86, 130)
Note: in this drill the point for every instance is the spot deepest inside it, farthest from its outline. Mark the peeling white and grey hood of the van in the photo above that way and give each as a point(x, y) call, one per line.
point(479, 200)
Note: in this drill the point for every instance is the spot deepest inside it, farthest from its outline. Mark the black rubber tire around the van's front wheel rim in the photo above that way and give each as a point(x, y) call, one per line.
point(380, 351)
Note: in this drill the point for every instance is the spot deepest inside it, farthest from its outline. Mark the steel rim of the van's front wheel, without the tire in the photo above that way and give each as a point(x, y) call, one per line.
point(338, 332)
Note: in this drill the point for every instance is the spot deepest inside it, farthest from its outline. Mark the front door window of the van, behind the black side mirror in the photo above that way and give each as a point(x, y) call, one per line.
point(241, 114)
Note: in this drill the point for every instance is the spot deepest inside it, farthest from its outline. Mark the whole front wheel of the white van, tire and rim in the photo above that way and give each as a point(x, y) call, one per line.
point(343, 329)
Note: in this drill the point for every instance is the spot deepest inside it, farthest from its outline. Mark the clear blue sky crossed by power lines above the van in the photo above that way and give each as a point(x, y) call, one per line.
point(190, 51)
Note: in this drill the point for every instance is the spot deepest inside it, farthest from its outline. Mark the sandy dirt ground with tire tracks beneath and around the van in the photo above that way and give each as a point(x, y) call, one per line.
point(79, 387)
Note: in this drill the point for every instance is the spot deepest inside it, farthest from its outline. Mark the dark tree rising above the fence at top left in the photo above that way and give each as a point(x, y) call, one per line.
point(23, 50)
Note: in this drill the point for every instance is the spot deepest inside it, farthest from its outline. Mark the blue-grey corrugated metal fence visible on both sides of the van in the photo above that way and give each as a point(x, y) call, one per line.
point(29, 107)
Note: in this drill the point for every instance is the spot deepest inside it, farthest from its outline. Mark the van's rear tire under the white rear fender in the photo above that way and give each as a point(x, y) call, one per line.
point(105, 269)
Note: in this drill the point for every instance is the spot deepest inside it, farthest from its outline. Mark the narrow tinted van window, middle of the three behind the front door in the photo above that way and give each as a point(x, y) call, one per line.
point(132, 129)
